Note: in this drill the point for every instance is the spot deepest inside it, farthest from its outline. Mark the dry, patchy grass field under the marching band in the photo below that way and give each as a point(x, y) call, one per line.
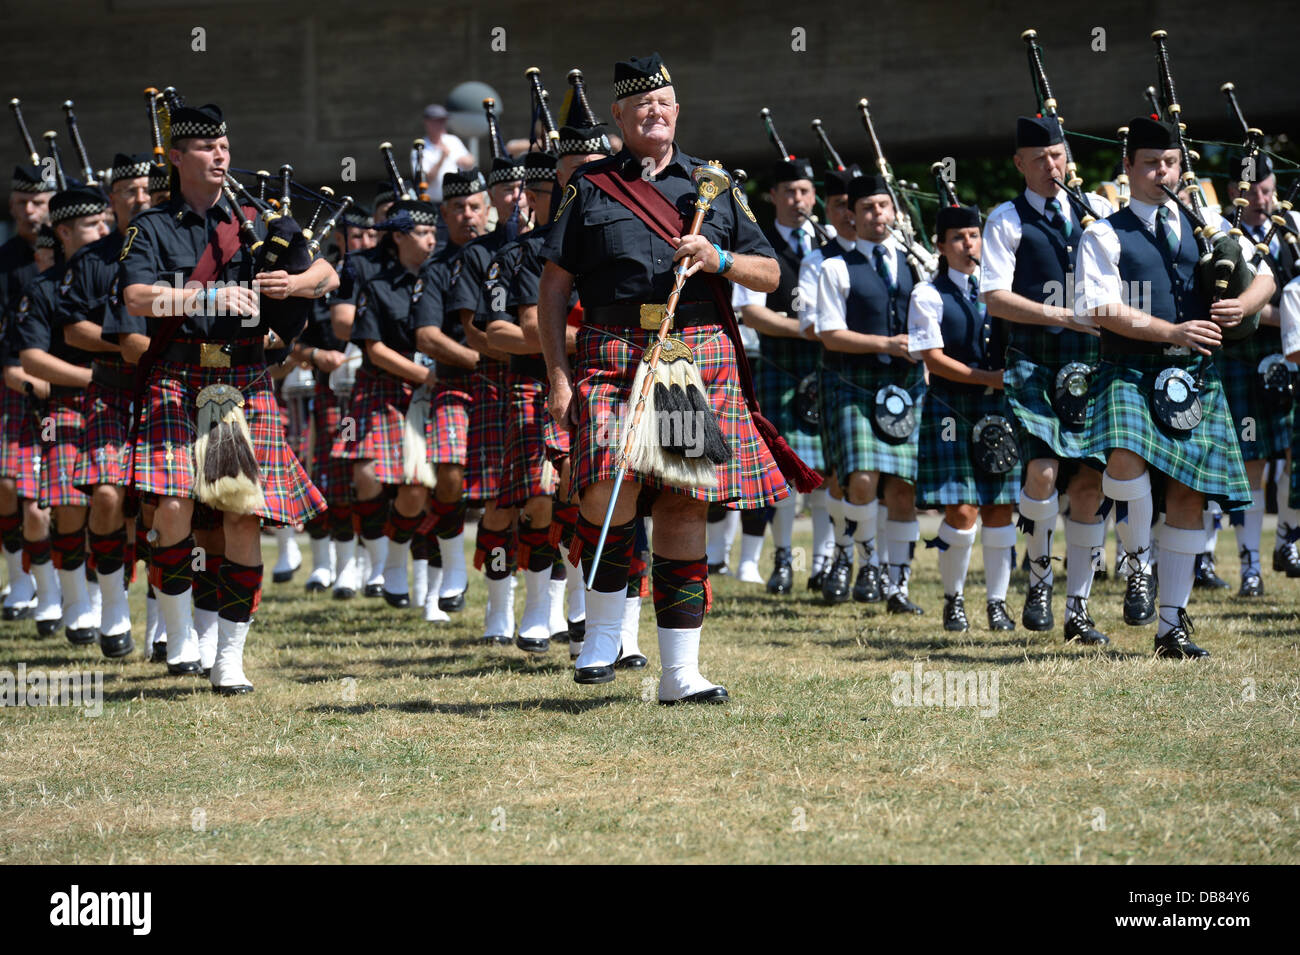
point(374, 737)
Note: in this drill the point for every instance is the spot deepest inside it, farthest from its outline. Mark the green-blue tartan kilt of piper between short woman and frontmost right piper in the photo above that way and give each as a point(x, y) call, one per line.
point(1034, 358)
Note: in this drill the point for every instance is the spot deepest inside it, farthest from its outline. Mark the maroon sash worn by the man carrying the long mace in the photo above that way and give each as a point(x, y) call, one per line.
point(662, 218)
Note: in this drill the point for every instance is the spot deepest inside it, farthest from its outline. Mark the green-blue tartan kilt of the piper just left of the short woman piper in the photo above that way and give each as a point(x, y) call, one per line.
point(850, 398)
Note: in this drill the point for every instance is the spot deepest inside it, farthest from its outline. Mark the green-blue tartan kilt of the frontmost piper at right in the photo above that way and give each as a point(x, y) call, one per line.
point(1208, 461)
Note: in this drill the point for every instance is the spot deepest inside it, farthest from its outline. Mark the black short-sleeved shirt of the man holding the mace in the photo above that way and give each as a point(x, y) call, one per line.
point(616, 258)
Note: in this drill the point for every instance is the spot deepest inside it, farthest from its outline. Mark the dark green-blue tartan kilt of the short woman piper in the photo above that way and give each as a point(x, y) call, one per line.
point(947, 472)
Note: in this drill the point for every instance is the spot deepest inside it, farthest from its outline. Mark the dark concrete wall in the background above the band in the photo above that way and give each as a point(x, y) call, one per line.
point(314, 83)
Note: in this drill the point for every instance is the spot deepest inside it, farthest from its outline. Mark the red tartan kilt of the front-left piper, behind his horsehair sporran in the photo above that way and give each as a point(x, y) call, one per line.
point(164, 452)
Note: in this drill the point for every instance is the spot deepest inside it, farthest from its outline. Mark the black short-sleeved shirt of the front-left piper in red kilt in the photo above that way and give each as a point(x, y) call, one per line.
point(163, 248)
